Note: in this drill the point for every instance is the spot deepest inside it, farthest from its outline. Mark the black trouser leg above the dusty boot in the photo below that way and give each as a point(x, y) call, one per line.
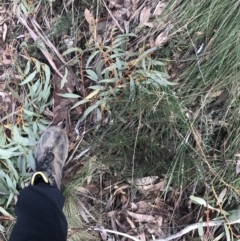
point(39, 215)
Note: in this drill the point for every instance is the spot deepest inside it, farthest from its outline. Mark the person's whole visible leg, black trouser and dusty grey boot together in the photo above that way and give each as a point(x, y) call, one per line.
point(39, 207)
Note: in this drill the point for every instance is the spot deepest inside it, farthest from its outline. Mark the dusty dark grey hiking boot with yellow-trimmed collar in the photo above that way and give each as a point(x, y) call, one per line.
point(50, 156)
